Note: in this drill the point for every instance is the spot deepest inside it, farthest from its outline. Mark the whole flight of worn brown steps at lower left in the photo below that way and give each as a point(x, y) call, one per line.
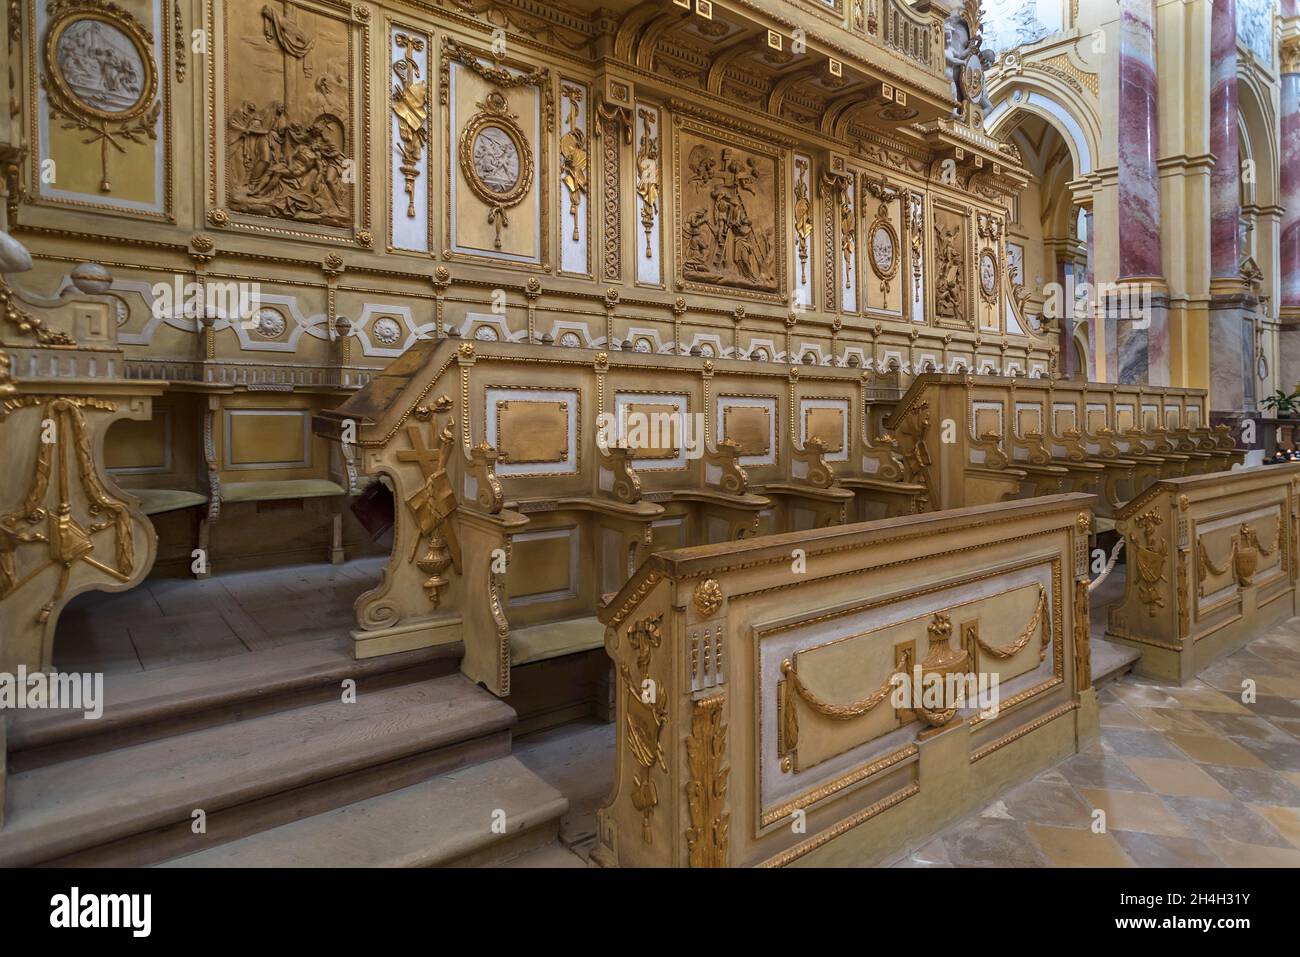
point(280, 769)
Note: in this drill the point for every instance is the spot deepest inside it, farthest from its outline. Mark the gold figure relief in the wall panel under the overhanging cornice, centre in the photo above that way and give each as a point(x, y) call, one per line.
point(725, 244)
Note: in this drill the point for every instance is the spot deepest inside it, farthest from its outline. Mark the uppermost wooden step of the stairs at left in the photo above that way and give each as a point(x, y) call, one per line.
point(185, 698)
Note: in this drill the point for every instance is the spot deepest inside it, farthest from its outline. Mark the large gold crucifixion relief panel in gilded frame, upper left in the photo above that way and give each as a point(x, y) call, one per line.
point(332, 119)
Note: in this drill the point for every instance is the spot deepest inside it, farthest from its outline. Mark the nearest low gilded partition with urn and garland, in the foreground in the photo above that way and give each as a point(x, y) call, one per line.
point(761, 714)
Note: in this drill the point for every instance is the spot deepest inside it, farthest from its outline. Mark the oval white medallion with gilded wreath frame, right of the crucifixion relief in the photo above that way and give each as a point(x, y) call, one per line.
point(496, 159)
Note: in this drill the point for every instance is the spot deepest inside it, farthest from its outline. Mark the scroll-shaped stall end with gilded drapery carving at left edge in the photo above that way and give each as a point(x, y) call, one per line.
point(66, 527)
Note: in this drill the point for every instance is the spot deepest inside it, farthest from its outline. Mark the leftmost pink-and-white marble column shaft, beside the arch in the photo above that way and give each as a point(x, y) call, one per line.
point(1139, 144)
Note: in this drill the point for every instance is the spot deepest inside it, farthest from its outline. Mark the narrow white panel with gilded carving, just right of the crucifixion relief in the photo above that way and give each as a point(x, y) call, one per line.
point(410, 138)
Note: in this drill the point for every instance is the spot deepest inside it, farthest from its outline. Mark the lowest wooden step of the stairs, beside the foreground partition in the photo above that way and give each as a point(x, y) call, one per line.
point(445, 821)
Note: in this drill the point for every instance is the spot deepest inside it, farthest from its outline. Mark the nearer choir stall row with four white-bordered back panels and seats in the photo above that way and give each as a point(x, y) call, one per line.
point(513, 516)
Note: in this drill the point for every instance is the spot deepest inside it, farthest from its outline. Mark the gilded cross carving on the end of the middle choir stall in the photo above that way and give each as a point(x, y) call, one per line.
point(435, 503)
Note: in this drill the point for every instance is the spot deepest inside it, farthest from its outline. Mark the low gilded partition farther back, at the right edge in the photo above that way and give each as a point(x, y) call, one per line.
point(1212, 564)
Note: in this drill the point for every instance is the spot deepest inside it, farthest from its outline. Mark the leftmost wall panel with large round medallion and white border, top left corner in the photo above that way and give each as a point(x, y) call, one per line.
point(101, 116)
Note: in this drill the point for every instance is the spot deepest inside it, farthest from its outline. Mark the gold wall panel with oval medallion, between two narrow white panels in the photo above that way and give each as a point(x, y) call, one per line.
point(497, 166)
